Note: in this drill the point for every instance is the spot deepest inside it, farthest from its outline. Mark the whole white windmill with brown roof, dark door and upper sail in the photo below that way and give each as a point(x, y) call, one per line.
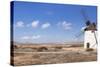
point(90, 33)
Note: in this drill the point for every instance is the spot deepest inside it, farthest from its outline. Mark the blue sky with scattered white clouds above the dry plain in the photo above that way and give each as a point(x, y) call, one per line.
point(49, 23)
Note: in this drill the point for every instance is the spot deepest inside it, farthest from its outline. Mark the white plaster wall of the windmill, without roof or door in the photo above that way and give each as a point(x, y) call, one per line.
point(89, 37)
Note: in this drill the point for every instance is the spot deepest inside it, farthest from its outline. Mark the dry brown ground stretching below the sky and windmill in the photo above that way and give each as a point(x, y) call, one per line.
point(31, 55)
